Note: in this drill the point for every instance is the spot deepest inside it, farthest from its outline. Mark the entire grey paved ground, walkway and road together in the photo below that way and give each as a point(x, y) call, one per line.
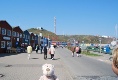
point(18, 67)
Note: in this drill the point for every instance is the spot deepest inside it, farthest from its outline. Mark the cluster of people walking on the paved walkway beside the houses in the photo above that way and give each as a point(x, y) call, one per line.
point(46, 50)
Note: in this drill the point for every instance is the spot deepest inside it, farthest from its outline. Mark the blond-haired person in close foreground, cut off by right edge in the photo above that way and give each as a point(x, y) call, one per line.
point(115, 61)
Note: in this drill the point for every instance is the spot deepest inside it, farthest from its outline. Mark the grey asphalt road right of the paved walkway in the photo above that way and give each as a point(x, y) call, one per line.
point(86, 68)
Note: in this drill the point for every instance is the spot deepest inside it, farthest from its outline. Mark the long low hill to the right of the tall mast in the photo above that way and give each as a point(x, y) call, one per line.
point(86, 38)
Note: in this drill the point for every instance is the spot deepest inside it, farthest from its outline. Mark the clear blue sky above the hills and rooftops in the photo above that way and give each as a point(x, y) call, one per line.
point(80, 17)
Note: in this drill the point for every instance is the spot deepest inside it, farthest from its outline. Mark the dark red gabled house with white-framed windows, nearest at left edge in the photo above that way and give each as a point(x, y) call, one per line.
point(5, 36)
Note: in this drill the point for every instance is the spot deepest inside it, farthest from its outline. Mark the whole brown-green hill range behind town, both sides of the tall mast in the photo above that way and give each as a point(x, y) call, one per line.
point(79, 38)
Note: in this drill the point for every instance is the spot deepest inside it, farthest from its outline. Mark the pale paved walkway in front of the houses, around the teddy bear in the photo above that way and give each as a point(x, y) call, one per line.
point(18, 67)
